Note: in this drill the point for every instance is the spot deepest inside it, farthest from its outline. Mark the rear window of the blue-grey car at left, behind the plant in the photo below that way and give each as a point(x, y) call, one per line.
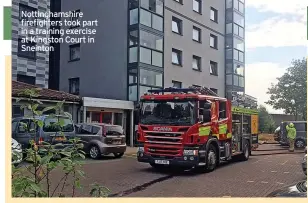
point(56, 124)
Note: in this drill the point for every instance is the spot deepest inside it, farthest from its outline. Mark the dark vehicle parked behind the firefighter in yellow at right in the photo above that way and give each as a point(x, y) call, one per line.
point(301, 133)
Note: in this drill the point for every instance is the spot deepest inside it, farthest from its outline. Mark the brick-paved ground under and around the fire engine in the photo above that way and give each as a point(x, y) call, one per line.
point(257, 177)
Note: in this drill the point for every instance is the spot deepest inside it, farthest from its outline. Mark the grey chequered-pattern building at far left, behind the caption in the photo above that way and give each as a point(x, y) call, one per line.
point(31, 67)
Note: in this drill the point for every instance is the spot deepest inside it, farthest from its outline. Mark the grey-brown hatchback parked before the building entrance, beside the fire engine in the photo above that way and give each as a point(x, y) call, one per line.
point(102, 139)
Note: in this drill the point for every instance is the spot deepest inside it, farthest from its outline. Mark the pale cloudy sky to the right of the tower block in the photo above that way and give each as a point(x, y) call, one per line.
point(276, 33)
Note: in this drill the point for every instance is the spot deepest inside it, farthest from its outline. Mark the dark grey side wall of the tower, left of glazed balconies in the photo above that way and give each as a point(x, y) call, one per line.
point(102, 68)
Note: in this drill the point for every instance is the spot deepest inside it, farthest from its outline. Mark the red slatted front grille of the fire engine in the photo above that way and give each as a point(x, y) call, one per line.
point(163, 144)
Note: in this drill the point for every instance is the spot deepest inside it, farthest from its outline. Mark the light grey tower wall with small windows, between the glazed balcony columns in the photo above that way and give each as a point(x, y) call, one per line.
point(185, 73)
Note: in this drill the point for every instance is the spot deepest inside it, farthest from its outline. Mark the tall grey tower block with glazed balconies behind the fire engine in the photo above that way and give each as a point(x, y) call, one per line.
point(149, 44)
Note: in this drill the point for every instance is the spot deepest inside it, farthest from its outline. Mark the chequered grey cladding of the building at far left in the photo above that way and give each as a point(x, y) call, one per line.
point(36, 68)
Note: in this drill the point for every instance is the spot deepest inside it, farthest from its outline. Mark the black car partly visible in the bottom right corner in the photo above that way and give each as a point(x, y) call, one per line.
point(295, 190)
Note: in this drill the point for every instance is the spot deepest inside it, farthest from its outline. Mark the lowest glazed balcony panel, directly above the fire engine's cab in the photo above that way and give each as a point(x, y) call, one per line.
point(148, 77)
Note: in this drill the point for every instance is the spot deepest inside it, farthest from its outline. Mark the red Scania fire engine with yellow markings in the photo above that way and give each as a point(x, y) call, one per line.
point(193, 128)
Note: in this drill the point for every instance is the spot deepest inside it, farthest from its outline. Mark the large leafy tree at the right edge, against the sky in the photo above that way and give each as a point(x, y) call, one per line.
point(290, 93)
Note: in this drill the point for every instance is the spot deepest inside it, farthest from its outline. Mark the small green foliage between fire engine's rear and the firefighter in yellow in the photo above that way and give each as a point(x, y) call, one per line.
point(266, 121)
